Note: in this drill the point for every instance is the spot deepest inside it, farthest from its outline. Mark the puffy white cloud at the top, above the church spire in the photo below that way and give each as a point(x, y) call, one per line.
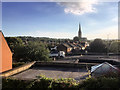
point(79, 8)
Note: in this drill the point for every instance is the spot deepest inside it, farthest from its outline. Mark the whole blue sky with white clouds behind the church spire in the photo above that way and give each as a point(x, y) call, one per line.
point(60, 19)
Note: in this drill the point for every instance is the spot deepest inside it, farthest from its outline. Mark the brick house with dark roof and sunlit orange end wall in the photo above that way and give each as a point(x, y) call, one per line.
point(64, 47)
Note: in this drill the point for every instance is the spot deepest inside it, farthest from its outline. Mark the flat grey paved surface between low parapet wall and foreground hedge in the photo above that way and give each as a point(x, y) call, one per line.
point(53, 72)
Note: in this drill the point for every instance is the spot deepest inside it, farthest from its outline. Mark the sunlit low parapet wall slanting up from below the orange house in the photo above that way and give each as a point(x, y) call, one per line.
point(17, 69)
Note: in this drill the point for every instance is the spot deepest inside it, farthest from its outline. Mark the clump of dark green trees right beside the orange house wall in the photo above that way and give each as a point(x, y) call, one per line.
point(27, 51)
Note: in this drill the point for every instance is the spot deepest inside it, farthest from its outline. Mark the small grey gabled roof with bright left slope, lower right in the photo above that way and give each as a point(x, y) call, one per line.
point(103, 69)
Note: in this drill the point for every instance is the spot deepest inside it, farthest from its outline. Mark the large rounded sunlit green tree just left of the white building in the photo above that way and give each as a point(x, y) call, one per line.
point(38, 51)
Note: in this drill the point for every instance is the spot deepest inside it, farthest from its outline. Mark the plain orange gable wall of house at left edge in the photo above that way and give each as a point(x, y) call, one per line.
point(5, 55)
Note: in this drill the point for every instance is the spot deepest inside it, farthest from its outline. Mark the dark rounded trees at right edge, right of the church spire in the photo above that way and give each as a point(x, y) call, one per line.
point(102, 46)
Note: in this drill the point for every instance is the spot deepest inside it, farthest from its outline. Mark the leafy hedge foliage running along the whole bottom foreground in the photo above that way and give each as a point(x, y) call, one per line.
point(67, 83)
